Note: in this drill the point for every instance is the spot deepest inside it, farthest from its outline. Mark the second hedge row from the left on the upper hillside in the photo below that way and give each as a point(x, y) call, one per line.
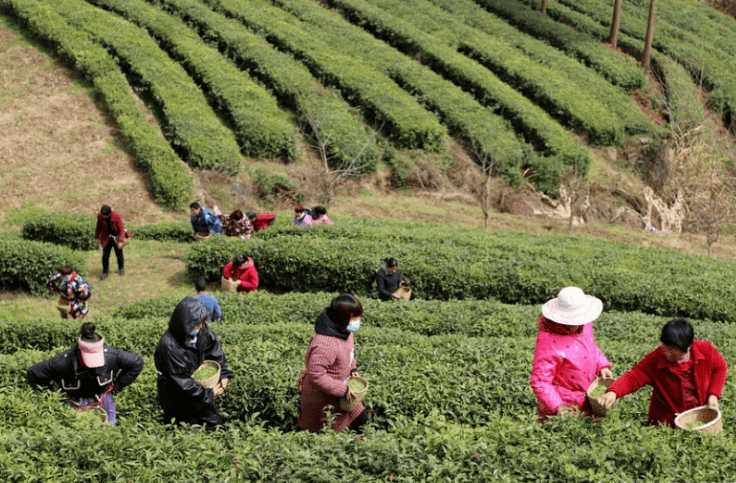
point(191, 125)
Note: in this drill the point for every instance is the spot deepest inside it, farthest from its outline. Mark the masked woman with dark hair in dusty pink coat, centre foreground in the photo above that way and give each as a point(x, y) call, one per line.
point(330, 362)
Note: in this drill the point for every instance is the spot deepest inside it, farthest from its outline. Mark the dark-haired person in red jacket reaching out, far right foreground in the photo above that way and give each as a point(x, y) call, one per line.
point(684, 374)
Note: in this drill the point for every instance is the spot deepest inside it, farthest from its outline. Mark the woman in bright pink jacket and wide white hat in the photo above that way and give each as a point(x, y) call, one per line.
point(566, 358)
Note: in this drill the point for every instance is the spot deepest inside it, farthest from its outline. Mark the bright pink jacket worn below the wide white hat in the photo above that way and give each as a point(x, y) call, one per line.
point(563, 368)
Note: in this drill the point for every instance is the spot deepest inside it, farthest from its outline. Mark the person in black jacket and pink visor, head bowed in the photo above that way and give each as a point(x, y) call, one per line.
point(90, 372)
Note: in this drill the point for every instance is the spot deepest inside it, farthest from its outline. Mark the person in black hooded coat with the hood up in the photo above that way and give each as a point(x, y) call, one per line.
point(186, 344)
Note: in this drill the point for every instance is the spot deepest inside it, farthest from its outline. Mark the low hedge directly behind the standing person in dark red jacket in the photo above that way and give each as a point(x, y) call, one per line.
point(76, 230)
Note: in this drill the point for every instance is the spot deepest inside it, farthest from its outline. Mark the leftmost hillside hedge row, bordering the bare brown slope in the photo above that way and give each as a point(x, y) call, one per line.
point(169, 180)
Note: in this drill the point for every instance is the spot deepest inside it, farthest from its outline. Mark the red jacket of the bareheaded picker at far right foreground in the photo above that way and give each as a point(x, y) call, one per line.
point(667, 399)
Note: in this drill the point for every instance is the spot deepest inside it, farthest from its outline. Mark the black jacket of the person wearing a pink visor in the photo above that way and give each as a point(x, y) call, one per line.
point(67, 372)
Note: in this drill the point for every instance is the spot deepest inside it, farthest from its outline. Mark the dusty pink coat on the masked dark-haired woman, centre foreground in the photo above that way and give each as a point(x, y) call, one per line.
point(330, 358)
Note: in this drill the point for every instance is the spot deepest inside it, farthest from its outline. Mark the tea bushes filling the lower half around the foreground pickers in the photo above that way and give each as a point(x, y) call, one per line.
point(449, 391)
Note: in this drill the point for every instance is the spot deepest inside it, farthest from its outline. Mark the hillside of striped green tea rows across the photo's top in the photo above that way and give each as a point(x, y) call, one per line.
point(235, 80)
